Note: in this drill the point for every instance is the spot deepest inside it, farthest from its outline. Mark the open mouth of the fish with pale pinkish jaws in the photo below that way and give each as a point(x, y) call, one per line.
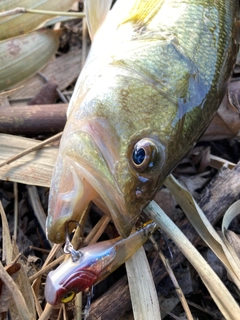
point(83, 174)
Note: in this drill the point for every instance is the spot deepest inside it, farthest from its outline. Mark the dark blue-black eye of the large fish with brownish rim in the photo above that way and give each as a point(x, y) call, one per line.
point(145, 154)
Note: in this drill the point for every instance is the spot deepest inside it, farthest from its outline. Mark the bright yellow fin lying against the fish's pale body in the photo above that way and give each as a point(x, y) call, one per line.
point(143, 10)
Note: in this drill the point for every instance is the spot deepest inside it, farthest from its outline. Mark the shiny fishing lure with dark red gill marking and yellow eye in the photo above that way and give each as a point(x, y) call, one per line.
point(95, 263)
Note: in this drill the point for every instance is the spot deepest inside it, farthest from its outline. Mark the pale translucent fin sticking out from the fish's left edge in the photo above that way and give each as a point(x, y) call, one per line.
point(96, 12)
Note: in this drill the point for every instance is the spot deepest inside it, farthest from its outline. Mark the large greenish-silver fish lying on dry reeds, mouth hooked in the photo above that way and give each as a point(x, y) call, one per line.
point(154, 78)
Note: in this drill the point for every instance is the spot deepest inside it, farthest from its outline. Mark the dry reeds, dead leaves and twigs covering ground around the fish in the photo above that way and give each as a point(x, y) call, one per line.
point(34, 110)
